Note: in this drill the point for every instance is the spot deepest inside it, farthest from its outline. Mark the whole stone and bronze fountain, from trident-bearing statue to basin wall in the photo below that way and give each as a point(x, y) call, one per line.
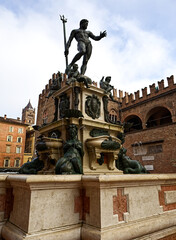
point(75, 188)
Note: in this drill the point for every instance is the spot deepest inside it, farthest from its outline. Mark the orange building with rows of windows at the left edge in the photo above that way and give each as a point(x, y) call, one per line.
point(12, 142)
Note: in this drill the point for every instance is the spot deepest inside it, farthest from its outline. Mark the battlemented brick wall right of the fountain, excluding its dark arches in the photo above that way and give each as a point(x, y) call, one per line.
point(158, 142)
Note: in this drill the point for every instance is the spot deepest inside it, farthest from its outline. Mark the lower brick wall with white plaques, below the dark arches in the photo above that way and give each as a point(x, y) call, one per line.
point(165, 136)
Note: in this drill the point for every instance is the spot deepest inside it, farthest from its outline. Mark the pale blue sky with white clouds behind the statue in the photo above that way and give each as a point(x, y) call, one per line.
point(140, 47)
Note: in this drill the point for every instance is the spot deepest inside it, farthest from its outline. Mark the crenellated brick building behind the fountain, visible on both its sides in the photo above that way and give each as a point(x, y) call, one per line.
point(152, 135)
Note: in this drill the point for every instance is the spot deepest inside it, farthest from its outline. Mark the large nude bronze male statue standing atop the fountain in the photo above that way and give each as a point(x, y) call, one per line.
point(84, 45)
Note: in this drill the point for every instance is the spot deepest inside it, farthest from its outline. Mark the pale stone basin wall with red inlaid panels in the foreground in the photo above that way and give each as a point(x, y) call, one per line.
point(102, 207)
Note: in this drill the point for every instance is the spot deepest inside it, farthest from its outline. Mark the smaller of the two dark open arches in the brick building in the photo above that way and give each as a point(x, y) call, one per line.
point(133, 123)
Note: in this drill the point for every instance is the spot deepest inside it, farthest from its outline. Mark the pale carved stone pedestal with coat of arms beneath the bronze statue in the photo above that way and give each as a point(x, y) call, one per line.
point(89, 102)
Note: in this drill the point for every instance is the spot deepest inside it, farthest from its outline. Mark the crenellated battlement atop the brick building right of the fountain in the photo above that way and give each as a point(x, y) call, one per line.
point(129, 99)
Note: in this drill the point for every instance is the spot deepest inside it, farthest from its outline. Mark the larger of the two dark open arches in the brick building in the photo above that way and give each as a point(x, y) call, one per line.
point(158, 116)
